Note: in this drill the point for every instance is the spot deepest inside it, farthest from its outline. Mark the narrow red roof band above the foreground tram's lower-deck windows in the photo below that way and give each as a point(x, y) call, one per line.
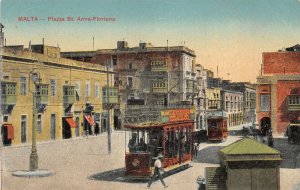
point(156, 124)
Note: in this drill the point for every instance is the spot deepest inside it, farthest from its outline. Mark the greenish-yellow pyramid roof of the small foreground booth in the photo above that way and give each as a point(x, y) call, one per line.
point(248, 146)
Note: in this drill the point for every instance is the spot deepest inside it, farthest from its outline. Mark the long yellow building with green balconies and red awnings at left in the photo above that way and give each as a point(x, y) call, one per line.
point(70, 95)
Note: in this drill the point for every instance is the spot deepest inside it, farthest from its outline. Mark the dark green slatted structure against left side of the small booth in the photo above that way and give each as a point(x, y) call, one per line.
point(215, 178)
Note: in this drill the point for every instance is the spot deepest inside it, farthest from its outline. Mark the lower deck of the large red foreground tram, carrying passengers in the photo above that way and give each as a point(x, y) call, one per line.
point(174, 140)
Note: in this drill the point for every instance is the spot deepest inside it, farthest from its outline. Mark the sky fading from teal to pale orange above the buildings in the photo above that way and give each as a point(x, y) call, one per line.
point(228, 34)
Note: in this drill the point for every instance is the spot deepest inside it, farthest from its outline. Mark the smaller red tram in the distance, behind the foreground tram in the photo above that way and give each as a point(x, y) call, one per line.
point(217, 129)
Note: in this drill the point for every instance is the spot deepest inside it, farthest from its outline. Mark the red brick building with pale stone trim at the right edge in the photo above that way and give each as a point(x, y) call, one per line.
point(278, 91)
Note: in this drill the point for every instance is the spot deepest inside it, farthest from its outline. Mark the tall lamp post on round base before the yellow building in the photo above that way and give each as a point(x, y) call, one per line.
point(35, 94)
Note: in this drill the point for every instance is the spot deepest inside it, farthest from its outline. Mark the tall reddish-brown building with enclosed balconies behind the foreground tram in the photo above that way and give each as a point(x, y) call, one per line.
point(150, 75)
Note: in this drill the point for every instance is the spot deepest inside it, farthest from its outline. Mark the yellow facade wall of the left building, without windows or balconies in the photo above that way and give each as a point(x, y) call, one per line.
point(64, 76)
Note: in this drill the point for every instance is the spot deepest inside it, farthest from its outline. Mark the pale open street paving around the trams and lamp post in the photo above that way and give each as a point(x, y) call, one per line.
point(83, 163)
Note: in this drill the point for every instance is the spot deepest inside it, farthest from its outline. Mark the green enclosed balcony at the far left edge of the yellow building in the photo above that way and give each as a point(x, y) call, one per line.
point(8, 93)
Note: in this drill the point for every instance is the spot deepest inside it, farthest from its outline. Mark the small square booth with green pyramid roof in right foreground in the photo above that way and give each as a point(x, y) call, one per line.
point(255, 165)
